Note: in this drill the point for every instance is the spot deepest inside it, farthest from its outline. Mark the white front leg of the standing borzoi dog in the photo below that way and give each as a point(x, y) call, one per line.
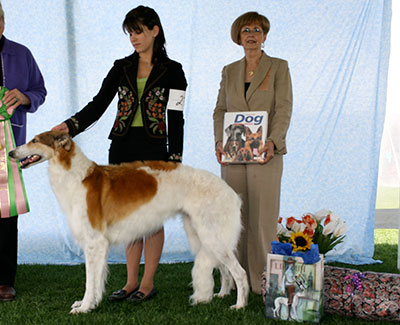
point(96, 270)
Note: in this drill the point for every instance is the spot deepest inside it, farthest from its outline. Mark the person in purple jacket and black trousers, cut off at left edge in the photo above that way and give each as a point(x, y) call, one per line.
point(20, 74)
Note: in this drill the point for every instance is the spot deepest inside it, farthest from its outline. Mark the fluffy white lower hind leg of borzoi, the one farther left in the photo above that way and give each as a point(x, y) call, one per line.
point(202, 275)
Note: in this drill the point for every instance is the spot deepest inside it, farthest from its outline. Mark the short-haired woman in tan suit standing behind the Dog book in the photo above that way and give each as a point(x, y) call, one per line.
point(256, 82)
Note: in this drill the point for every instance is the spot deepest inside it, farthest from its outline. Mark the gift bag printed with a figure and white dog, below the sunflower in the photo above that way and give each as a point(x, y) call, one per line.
point(293, 289)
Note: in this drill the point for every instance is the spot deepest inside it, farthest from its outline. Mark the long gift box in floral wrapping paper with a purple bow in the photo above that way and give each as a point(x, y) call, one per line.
point(366, 295)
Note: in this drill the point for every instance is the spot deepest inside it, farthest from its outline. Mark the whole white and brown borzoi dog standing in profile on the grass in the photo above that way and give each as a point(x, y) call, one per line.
point(119, 204)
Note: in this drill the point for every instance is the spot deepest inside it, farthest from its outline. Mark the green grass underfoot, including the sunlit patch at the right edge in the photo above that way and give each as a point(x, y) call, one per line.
point(46, 292)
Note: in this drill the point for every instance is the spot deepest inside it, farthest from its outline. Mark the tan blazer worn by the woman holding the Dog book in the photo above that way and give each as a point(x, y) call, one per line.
point(270, 90)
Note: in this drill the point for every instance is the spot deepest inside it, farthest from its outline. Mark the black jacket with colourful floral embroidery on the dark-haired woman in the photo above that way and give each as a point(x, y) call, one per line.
point(121, 79)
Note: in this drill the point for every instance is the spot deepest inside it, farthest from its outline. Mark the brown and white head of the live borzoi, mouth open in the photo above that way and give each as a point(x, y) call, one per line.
point(42, 147)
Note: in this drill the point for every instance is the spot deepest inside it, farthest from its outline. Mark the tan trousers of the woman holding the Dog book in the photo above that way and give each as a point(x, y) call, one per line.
point(259, 187)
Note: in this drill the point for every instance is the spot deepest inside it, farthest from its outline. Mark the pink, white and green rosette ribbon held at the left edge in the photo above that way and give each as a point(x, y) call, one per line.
point(13, 198)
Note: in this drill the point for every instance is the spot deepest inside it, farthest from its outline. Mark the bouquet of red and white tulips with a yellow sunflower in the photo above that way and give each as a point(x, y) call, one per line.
point(324, 228)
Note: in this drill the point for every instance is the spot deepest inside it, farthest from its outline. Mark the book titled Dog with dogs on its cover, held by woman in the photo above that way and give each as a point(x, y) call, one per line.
point(244, 136)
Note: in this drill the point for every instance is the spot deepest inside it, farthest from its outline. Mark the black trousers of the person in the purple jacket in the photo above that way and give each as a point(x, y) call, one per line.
point(8, 250)
